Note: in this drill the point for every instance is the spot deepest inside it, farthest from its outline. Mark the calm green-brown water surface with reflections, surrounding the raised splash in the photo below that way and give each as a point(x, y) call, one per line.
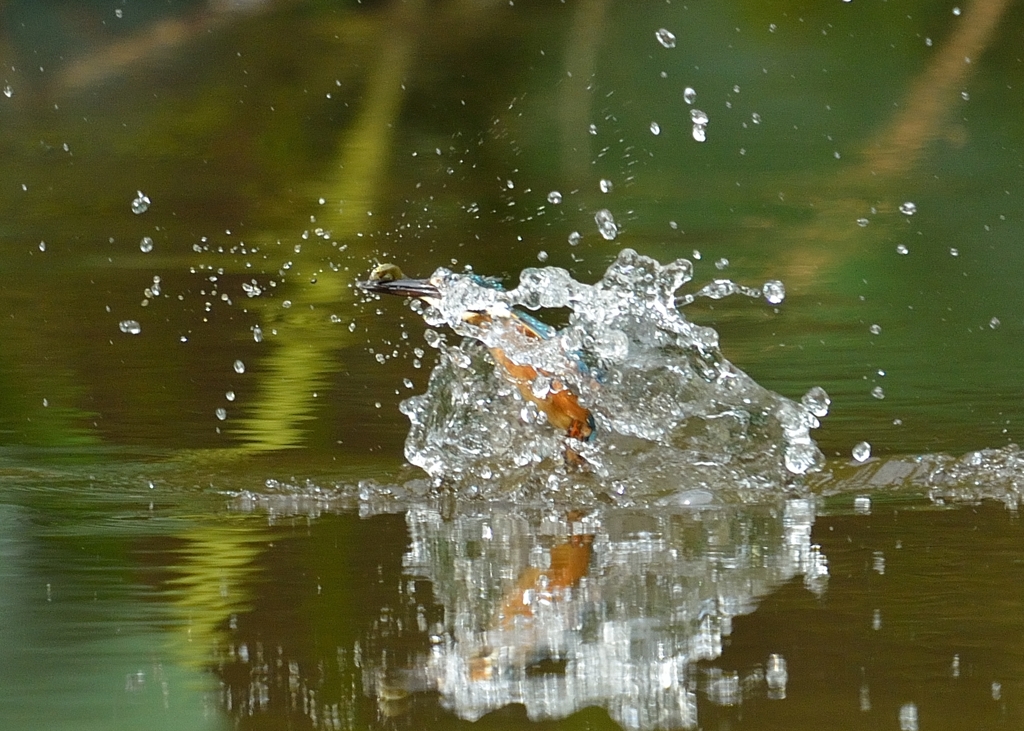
point(168, 565)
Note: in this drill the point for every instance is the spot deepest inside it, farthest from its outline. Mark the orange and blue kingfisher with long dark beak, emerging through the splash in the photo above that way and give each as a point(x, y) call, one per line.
point(560, 404)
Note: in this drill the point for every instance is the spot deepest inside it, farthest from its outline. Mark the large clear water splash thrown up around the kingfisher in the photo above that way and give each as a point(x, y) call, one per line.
point(673, 415)
